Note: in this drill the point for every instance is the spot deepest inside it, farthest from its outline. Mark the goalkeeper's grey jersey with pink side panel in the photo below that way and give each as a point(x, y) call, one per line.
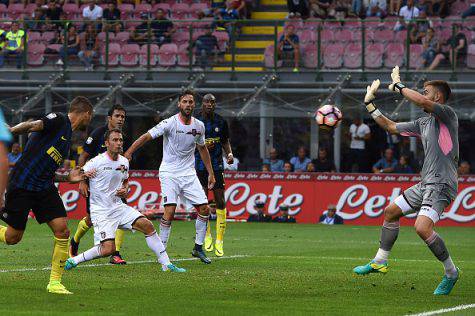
point(439, 135)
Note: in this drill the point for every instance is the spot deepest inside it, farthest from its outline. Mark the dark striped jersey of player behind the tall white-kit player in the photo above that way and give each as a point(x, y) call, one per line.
point(216, 133)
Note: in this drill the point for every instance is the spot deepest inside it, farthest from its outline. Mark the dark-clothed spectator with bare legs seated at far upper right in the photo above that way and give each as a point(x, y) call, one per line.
point(457, 45)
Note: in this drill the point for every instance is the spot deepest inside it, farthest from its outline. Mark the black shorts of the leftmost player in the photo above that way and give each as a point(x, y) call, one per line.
point(46, 205)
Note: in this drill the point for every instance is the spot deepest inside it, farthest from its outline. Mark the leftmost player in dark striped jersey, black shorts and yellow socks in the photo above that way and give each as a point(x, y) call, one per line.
point(31, 184)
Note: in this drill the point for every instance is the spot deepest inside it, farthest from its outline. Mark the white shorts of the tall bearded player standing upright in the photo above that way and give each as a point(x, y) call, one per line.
point(188, 187)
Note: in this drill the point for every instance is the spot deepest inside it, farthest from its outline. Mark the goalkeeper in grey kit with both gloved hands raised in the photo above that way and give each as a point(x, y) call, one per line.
point(438, 187)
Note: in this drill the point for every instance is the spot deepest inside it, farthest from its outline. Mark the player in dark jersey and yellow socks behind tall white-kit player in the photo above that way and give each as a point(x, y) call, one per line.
point(217, 140)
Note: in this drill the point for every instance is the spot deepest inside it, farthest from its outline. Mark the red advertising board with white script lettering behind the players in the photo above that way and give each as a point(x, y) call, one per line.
point(360, 198)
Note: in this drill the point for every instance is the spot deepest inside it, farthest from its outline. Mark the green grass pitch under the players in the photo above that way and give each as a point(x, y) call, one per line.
point(288, 269)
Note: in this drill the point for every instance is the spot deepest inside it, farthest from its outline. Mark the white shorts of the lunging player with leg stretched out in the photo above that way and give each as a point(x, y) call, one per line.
point(107, 222)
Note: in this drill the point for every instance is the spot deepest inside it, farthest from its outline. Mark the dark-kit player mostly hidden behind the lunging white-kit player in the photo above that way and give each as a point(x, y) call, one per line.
point(93, 146)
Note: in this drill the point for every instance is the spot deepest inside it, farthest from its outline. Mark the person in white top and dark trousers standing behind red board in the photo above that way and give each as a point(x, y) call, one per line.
point(359, 133)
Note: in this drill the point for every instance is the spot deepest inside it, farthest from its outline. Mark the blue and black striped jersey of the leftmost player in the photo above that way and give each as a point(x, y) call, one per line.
point(43, 155)
